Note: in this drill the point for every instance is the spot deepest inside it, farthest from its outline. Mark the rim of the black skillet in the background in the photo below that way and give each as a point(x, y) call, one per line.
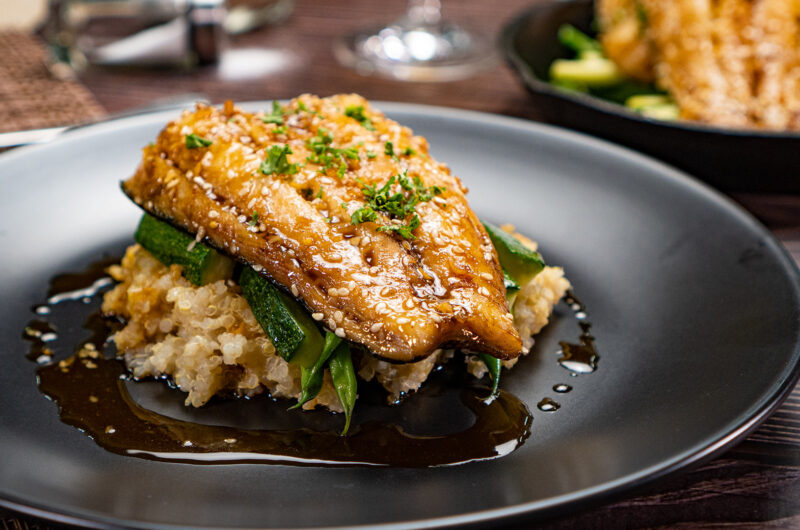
point(534, 83)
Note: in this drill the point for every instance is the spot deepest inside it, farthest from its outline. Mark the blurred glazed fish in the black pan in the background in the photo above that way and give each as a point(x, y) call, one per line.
point(734, 63)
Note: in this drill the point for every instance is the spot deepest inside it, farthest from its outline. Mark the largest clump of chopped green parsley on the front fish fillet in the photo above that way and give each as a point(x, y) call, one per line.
point(398, 204)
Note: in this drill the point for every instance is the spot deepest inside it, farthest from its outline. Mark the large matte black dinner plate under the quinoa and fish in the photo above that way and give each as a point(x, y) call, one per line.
point(694, 307)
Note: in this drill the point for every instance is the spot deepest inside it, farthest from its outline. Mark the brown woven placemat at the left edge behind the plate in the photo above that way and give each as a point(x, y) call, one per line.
point(30, 97)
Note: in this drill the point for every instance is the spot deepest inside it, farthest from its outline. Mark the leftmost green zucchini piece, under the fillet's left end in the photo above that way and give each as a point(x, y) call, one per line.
point(169, 245)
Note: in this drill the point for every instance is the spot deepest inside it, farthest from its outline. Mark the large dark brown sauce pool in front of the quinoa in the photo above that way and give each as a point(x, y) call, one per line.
point(90, 390)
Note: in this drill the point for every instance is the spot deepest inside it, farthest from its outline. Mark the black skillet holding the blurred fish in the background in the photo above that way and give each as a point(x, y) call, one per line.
point(728, 159)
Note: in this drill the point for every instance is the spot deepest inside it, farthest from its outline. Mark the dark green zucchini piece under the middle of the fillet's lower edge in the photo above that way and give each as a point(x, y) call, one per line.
point(292, 331)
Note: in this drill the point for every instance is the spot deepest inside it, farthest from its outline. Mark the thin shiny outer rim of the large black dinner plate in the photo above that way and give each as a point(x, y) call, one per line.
point(533, 510)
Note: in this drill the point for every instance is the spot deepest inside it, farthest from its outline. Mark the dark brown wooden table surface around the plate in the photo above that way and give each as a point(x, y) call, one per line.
point(755, 484)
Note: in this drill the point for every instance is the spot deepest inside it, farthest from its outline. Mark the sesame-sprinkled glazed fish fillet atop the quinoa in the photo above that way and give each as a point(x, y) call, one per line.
point(400, 298)
